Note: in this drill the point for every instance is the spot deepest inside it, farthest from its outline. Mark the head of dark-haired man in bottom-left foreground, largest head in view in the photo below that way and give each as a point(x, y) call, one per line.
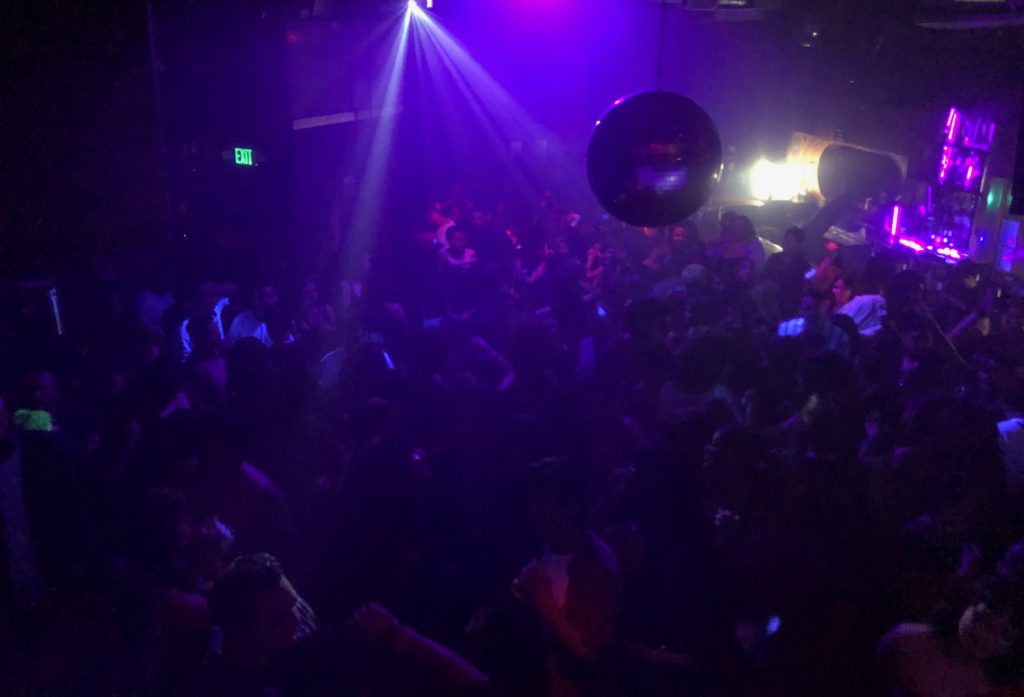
point(255, 607)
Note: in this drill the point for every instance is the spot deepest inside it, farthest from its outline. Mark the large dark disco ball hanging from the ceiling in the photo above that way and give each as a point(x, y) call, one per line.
point(654, 159)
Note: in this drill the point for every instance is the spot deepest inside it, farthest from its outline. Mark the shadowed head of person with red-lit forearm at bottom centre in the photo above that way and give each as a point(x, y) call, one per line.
point(560, 501)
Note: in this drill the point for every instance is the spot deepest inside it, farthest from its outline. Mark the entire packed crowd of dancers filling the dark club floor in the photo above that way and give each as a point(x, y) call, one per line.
point(533, 452)
